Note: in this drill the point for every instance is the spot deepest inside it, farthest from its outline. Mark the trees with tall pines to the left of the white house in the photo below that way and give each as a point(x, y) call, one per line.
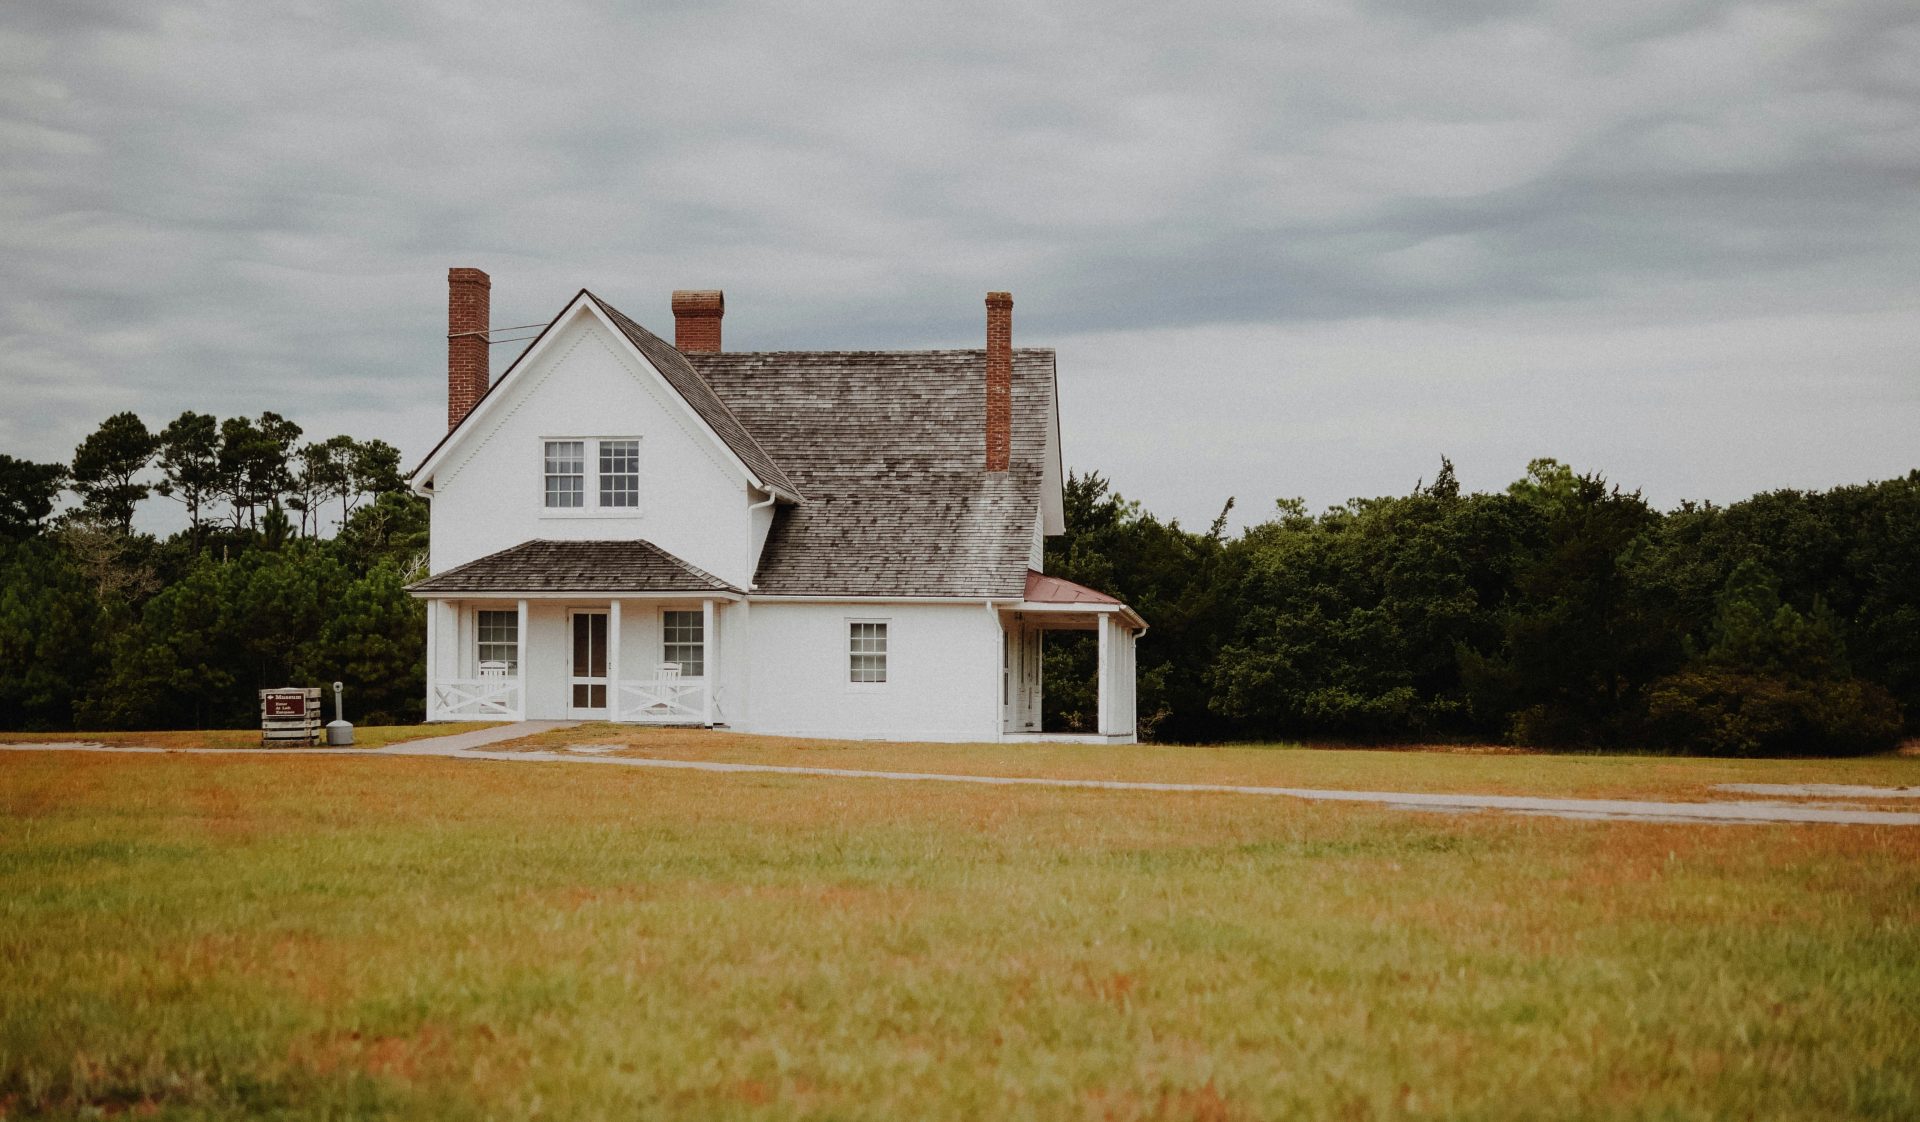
point(291, 570)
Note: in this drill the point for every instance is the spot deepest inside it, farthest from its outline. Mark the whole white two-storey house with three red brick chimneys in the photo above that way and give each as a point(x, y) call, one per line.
point(798, 543)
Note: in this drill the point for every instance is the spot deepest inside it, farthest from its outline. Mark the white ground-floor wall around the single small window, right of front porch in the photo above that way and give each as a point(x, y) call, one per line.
point(944, 673)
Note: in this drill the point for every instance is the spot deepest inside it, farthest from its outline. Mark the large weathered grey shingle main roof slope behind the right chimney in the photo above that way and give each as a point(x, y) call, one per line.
point(890, 452)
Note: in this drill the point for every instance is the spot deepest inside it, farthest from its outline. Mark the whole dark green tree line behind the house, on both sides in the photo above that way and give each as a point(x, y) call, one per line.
point(1562, 612)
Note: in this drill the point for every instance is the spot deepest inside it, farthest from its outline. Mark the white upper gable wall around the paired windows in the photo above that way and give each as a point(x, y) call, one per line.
point(588, 383)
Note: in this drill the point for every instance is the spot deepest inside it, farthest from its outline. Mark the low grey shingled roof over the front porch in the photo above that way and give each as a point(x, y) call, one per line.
point(577, 568)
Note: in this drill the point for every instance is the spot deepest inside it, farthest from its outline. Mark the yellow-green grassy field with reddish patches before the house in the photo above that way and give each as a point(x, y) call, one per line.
point(335, 937)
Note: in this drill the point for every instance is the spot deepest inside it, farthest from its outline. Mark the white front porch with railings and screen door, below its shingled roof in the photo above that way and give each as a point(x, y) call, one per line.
point(644, 660)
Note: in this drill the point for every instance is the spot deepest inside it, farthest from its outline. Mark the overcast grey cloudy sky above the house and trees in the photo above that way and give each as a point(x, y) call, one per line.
point(1285, 249)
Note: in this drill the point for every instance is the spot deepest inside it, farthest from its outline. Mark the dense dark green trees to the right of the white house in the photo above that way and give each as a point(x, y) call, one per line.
point(1562, 612)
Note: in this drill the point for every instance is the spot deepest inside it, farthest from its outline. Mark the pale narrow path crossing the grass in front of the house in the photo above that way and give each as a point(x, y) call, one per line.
point(473, 746)
